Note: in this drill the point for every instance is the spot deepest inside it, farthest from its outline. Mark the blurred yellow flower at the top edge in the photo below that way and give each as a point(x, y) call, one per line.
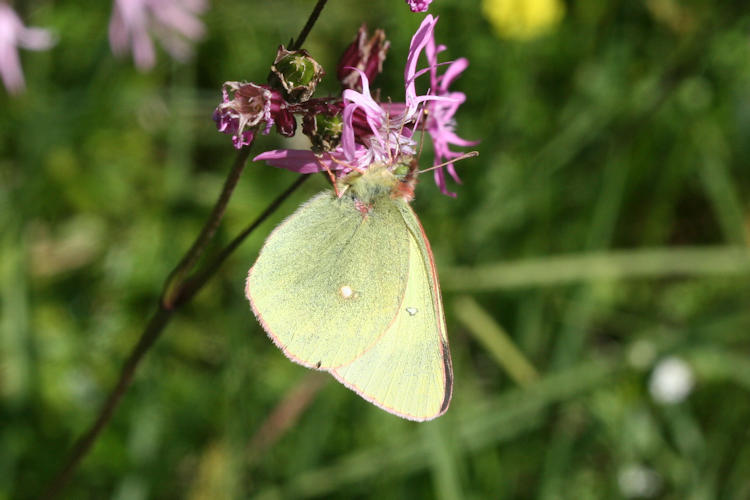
point(523, 19)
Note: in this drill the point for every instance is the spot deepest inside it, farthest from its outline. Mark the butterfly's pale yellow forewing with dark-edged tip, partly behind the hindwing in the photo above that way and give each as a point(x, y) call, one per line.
point(408, 371)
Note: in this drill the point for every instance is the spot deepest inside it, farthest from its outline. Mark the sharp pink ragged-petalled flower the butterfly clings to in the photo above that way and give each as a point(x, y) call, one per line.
point(374, 133)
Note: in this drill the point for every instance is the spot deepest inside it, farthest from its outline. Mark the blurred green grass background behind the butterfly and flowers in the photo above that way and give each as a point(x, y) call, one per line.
point(603, 228)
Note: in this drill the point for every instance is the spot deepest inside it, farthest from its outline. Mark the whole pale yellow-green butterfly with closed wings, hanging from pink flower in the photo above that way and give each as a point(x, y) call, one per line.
point(347, 284)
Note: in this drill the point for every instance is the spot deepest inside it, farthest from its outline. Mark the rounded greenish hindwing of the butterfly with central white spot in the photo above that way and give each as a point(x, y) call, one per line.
point(330, 280)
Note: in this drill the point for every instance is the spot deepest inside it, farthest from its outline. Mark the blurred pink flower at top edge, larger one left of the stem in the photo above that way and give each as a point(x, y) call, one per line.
point(174, 22)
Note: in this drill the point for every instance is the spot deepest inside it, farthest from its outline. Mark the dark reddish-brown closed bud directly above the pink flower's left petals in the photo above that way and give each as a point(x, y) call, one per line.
point(364, 55)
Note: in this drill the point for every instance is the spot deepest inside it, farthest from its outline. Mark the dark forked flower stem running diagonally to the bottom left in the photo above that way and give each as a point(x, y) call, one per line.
point(177, 292)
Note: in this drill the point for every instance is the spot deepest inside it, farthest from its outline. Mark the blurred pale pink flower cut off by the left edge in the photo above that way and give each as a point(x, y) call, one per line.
point(13, 34)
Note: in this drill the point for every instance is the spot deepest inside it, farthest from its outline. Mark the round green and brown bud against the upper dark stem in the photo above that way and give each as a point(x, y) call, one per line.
point(298, 73)
